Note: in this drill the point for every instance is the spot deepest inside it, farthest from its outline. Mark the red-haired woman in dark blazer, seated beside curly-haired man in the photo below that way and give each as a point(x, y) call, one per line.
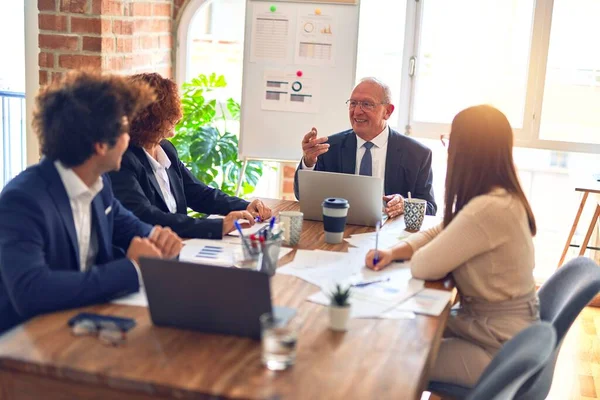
point(155, 185)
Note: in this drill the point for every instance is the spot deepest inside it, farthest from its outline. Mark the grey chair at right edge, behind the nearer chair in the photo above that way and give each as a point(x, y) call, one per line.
point(562, 298)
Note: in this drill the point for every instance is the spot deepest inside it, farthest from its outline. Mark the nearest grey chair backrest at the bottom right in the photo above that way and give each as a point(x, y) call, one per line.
point(519, 358)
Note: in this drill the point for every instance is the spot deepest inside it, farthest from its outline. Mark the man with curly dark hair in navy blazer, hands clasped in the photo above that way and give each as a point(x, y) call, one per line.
point(61, 227)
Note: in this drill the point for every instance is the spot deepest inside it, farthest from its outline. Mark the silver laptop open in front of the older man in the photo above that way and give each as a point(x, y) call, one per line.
point(364, 193)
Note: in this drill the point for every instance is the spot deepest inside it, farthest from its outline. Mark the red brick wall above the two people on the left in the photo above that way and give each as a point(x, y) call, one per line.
point(126, 36)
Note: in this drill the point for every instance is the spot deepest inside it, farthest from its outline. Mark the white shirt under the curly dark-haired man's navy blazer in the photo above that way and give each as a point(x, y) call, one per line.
point(80, 197)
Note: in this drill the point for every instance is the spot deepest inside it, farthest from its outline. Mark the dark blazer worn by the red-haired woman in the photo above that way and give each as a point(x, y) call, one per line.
point(135, 185)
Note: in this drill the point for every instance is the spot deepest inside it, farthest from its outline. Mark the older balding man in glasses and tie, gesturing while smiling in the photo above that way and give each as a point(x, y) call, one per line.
point(374, 149)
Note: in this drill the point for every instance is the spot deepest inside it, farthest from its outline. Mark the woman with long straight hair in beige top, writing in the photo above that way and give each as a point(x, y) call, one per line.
point(485, 242)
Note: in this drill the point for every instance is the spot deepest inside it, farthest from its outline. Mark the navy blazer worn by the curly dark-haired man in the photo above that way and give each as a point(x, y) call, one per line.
point(39, 252)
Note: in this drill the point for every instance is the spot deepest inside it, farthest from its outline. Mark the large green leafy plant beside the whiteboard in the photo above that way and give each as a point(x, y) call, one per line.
point(203, 141)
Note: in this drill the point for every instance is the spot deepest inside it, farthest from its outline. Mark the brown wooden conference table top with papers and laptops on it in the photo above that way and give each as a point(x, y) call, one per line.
point(375, 359)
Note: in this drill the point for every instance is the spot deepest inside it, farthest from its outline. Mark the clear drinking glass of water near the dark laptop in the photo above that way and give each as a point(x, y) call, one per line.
point(279, 339)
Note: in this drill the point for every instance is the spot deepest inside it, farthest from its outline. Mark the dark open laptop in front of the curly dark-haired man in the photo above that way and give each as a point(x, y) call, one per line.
point(208, 298)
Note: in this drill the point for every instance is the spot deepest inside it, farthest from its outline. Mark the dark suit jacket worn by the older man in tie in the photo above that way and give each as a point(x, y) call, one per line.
point(407, 165)
